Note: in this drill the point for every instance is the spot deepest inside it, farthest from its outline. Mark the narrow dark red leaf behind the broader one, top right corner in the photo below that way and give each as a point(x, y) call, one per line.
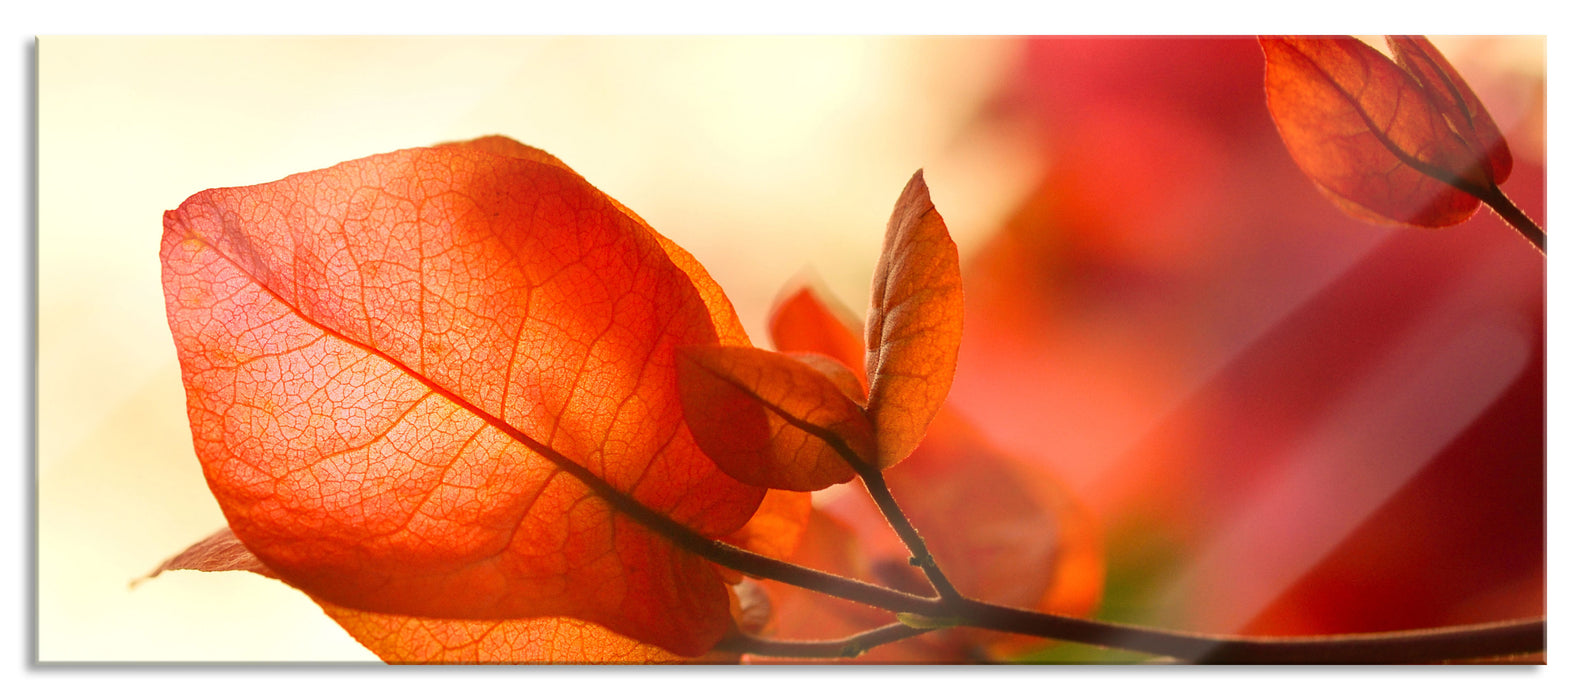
point(1456, 102)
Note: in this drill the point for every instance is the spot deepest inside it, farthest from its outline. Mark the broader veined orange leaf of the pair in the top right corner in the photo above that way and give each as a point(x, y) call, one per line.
point(1371, 135)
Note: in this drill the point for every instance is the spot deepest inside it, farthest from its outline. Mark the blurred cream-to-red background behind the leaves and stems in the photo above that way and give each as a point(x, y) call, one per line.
point(1287, 420)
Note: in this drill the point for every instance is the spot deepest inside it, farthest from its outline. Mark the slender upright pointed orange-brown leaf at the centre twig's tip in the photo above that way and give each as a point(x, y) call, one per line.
point(915, 324)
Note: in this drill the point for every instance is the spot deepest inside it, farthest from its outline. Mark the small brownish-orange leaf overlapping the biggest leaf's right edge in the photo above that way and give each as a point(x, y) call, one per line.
point(773, 420)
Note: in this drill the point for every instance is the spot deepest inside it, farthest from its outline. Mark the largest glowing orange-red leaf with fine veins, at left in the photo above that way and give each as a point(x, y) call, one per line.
point(430, 382)
